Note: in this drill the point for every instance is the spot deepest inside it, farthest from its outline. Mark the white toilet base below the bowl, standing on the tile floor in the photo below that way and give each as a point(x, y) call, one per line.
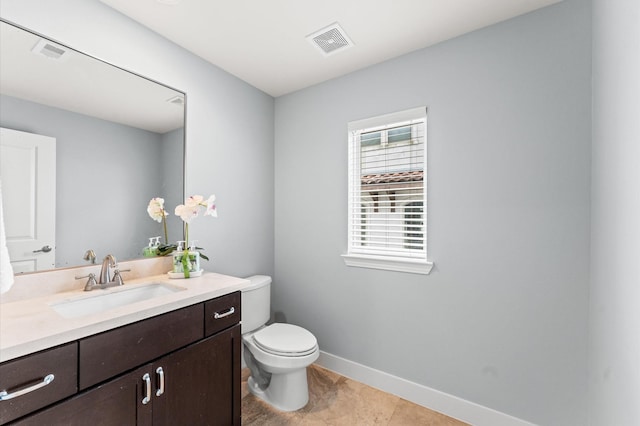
point(286, 391)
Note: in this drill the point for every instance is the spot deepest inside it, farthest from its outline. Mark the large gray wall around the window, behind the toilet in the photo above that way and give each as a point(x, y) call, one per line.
point(502, 319)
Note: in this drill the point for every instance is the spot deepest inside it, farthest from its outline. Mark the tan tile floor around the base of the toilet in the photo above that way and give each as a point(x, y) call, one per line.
point(337, 400)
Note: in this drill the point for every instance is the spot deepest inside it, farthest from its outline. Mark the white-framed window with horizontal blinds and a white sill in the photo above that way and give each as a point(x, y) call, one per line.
point(387, 192)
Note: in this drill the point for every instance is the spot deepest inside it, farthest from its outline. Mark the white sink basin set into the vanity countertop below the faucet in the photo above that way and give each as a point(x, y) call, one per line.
point(103, 300)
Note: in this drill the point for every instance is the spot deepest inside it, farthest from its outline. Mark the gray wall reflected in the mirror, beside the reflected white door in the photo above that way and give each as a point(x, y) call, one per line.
point(104, 163)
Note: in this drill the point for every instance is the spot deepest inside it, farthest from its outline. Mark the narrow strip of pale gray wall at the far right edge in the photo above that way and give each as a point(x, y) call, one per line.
point(614, 344)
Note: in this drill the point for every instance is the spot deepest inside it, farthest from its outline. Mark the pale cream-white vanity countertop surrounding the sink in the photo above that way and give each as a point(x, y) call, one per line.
point(31, 325)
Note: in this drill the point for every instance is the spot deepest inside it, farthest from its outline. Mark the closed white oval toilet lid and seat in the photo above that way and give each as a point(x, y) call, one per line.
point(285, 339)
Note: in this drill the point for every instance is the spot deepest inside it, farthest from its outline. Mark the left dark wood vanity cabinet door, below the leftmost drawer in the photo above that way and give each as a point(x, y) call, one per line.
point(113, 403)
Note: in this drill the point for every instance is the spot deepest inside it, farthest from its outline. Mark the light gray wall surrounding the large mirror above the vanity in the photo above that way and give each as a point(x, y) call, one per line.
point(229, 125)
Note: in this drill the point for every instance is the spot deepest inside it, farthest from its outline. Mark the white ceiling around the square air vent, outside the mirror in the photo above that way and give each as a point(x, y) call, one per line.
point(263, 41)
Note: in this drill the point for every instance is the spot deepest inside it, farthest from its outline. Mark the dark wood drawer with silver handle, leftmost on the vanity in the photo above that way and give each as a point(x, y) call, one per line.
point(29, 372)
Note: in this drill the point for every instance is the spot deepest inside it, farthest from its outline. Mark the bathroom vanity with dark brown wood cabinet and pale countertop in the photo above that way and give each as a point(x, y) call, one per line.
point(173, 359)
